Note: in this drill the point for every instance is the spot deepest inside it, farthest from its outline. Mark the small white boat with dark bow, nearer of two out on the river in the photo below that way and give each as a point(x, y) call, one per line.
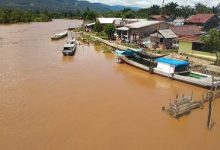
point(69, 48)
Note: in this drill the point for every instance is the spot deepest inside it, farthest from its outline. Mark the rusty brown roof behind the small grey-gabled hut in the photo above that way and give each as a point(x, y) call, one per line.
point(186, 30)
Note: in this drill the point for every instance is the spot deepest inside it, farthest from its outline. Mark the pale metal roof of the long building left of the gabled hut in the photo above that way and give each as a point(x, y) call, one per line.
point(141, 24)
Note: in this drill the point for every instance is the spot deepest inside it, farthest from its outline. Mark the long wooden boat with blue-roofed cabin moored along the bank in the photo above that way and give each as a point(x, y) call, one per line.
point(168, 67)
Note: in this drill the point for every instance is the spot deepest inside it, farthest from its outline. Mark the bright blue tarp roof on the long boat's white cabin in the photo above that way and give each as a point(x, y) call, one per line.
point(173, 62)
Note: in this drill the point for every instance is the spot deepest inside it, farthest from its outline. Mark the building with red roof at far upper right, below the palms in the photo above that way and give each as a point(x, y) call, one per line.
point(204, 21)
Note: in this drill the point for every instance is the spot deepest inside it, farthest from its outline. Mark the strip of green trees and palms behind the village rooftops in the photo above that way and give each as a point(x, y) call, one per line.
point(172, 9)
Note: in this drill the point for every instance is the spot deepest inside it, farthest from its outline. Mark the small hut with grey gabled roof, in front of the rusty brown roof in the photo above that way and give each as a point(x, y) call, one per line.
point(164, 39)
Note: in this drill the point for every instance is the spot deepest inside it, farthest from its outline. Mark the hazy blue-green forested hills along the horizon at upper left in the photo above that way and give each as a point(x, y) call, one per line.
point(58, 5)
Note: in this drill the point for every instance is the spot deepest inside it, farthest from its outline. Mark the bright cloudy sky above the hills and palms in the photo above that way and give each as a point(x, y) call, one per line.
point(147, 3)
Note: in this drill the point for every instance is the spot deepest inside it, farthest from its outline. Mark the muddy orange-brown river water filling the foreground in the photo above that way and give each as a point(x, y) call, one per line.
point(88, 102)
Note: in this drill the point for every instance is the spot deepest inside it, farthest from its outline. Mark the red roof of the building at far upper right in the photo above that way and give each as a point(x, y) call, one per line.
point(199, 18)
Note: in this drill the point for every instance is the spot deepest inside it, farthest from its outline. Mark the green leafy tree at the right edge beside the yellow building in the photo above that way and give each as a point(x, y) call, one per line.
point(212, 41)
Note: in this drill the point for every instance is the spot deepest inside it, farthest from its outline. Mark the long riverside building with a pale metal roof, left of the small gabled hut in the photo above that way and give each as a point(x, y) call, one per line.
point(139, 30)
